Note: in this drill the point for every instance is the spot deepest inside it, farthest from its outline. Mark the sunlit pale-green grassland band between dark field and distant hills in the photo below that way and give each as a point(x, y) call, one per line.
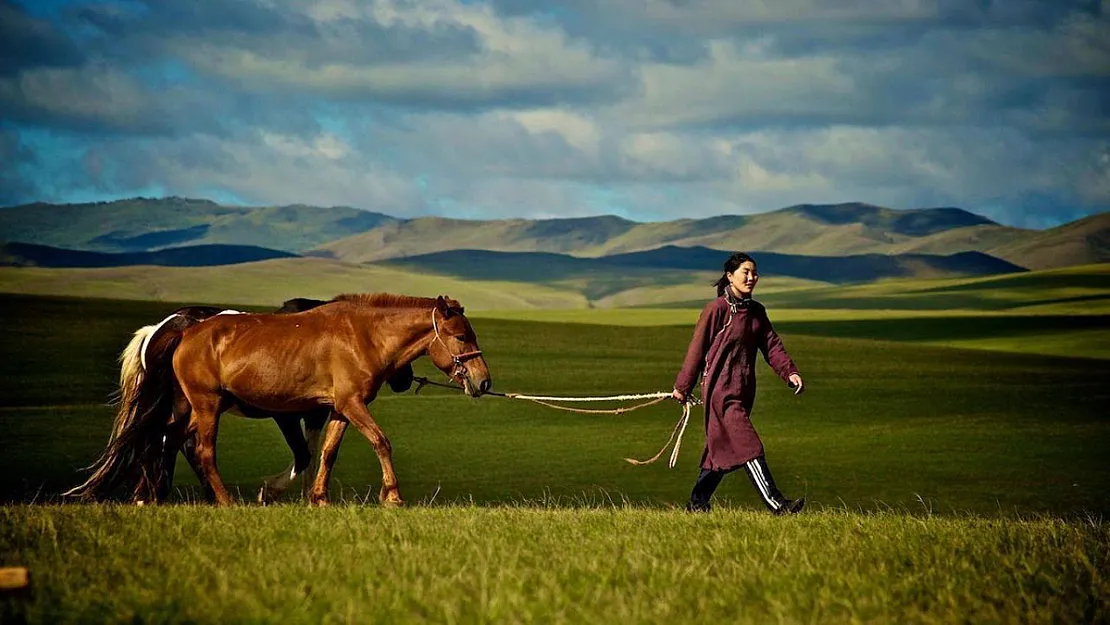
point(567, 283)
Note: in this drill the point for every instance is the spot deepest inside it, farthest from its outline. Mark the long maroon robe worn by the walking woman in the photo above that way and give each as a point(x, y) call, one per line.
point(725, 342)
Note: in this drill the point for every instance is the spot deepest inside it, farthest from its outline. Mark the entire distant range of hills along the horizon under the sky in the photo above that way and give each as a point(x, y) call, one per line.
point(867, 238)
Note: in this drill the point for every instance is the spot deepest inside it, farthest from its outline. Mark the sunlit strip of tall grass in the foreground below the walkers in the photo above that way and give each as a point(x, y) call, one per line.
point(528, 564)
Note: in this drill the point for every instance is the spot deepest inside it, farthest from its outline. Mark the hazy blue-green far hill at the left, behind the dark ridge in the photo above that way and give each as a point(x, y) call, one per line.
point(144, 225)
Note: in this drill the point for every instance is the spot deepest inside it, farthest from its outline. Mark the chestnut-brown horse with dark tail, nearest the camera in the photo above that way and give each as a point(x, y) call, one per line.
point(334, 357)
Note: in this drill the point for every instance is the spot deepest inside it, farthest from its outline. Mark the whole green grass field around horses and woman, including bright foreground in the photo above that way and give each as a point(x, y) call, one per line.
point(944, 485)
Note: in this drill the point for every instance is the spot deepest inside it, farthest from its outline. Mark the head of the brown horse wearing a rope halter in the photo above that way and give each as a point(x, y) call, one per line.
point(455, 348)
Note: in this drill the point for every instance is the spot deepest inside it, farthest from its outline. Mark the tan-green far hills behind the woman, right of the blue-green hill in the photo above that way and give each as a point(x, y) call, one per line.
point(815, 230)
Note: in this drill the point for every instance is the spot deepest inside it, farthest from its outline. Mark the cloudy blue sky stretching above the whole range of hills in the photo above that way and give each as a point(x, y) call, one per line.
point(648, 109)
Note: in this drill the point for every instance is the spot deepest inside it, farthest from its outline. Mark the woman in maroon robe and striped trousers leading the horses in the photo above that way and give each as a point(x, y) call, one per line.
point(730, 331)
